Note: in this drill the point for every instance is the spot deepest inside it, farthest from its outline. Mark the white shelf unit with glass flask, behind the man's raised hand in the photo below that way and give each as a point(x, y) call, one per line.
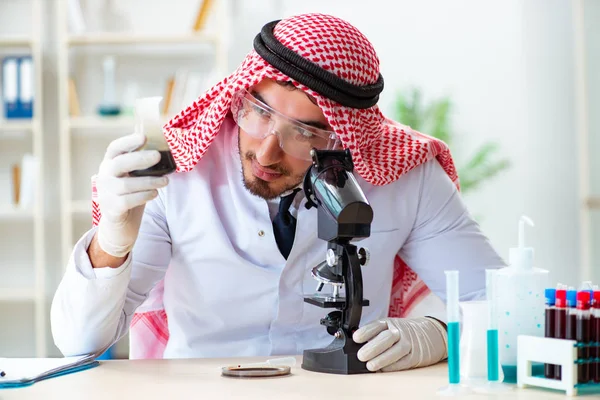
point(88, 133)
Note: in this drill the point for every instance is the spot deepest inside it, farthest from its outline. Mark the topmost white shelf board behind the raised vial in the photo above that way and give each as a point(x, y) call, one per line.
point(132, 39)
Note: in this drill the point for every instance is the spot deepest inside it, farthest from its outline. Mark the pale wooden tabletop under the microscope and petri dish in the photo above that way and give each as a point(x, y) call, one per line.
point(201, 379)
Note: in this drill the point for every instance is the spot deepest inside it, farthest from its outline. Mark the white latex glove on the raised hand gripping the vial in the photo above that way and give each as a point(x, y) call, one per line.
point(121, 197)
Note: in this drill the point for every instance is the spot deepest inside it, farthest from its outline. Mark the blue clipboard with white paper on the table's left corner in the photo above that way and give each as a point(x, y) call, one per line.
point(20, 372)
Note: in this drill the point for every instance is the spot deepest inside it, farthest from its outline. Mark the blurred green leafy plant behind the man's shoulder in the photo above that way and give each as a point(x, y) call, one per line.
point(434, 119)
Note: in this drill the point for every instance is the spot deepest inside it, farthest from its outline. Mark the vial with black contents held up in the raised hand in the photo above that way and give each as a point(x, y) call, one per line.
point(148, 122)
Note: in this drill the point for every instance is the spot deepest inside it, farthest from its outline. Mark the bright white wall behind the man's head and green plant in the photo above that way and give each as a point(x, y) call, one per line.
point(508, 66)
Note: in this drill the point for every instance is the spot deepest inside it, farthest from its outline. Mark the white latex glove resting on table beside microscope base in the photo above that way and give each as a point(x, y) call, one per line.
point(396, 344)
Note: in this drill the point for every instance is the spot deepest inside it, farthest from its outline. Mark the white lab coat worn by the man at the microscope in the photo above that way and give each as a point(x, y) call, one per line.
point(227, 289)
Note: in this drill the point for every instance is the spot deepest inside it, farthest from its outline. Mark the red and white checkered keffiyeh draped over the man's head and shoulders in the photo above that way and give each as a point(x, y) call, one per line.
point(382, 150)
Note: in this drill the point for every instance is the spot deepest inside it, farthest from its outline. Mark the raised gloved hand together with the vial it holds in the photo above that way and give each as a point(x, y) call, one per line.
point(130, 175)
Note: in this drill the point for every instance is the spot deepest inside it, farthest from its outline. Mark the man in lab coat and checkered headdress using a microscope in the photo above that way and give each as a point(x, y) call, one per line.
point(216, 234)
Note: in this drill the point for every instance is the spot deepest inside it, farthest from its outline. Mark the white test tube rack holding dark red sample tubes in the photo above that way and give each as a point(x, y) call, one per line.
point(552, 351)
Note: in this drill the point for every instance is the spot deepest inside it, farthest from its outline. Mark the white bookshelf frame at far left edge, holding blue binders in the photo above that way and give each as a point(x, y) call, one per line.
point(13, 217)
